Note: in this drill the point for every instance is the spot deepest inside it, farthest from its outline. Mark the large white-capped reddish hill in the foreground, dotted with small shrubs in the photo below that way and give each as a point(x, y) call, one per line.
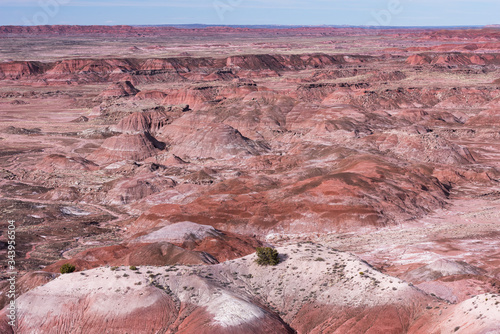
point(215, 299)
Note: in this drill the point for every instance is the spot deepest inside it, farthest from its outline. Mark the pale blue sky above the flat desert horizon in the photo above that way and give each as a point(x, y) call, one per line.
point(251, 12)
